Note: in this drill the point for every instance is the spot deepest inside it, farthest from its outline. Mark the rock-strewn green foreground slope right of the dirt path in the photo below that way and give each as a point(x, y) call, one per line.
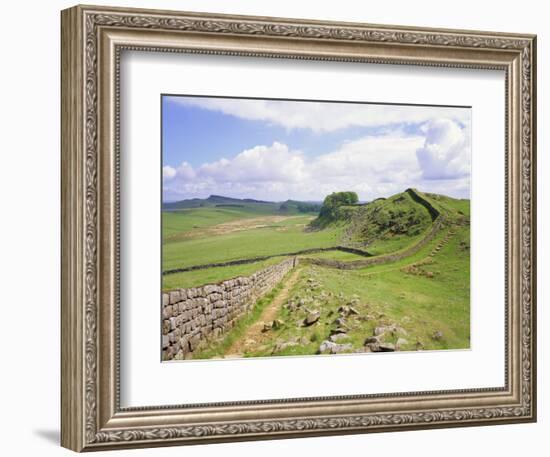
point(424, 300)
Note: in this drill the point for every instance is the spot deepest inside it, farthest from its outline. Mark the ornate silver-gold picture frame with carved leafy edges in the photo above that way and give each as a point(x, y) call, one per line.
point(93, 40)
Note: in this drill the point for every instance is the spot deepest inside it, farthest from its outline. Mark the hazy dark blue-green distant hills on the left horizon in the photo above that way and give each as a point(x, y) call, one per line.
point(219, 201)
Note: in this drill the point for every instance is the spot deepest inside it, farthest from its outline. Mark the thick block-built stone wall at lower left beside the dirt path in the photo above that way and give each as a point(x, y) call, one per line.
point(191, 317)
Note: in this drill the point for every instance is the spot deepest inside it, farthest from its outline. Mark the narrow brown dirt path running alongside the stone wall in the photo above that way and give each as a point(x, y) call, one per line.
point(253, 336)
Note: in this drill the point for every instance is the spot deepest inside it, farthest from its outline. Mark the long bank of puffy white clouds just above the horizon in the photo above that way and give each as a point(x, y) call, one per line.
point(435, 160)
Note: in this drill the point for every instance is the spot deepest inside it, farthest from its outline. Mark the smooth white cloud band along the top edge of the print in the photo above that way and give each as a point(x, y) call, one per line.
point(323, 116)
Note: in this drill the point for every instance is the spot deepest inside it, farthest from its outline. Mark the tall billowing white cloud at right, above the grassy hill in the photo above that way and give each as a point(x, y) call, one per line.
point(446, 150)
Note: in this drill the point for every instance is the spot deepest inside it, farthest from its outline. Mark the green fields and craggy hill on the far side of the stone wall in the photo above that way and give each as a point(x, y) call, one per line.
point(226, 229)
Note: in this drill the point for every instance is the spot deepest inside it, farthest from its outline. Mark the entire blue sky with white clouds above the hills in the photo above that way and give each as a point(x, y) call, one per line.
point(278, 150)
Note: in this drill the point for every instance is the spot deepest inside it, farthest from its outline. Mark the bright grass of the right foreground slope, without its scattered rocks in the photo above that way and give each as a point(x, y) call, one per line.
point(388, 294)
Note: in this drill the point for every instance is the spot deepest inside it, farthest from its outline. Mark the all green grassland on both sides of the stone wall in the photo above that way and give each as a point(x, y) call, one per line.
point(425, 296)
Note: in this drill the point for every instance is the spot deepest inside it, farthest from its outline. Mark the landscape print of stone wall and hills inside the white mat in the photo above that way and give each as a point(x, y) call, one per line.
point(305, 228)
